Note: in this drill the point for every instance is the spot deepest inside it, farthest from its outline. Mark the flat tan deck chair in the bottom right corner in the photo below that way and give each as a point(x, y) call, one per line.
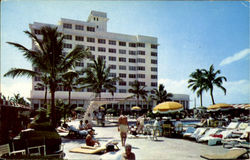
point(230, 155)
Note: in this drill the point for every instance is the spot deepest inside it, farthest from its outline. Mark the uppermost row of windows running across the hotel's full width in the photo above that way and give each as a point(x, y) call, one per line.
point(103, 41)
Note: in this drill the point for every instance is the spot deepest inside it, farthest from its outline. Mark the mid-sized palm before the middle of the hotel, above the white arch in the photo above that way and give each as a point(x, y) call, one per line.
point(97, 78)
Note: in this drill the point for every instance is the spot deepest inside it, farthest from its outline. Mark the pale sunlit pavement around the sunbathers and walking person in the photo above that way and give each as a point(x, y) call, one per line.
point(143, 147)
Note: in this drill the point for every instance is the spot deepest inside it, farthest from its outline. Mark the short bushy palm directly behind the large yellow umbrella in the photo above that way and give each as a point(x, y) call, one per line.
point(161, 95)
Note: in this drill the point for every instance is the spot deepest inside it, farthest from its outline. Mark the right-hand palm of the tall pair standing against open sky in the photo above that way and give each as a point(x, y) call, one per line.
point(212, 79)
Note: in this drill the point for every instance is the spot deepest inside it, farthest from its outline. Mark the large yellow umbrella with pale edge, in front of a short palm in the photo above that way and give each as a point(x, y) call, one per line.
point(167, 107)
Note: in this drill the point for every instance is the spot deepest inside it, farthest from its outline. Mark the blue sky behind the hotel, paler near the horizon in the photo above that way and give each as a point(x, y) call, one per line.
point(191, 35)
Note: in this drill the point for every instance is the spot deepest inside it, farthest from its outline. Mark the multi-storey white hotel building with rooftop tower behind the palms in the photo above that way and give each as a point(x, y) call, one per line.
point(130, 57)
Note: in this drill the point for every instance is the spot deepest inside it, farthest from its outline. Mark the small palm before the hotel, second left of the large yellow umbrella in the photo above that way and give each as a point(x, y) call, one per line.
point(138, 91)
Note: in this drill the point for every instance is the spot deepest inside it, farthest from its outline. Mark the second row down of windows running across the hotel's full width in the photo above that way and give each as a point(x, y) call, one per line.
point(112, 50)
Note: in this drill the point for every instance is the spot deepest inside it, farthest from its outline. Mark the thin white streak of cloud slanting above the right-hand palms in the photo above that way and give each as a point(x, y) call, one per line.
point(237, 56)
